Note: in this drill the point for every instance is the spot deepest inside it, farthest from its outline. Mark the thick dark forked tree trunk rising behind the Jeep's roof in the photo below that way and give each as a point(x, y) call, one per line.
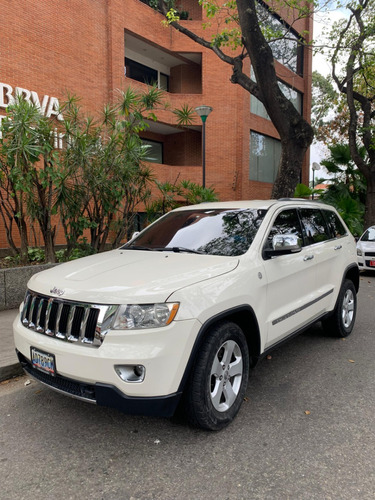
point(295, 132)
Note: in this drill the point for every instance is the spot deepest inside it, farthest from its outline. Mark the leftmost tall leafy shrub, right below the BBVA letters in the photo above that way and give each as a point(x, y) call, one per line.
point(30, 165)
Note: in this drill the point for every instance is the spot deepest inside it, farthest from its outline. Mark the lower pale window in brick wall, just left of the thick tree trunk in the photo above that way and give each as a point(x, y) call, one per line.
point(265, 153)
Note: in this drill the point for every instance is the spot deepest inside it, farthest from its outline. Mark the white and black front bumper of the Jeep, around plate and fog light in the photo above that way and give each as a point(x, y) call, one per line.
point(89, 373)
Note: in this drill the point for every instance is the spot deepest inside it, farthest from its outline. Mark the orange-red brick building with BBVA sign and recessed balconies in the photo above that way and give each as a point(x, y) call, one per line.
point(90, 48)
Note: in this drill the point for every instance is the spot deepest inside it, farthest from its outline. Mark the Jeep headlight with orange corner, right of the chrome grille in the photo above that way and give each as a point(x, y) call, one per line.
point(135, 316)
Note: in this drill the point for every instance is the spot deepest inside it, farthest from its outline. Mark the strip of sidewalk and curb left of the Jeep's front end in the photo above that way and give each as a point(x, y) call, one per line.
point(9, 365)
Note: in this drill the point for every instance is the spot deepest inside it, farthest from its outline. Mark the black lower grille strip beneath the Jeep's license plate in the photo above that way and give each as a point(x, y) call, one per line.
point(62, 384)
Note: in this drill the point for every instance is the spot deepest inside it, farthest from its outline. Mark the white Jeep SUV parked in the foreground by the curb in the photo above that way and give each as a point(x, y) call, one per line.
point(179, 314)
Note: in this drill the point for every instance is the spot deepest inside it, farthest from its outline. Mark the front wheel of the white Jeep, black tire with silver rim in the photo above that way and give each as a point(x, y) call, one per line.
point(218, 381)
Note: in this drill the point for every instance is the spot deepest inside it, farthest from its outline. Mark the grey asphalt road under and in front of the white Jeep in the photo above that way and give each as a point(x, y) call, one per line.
point(52, 446)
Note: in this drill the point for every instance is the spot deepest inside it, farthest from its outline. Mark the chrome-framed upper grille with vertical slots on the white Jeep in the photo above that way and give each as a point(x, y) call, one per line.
point(85, 324)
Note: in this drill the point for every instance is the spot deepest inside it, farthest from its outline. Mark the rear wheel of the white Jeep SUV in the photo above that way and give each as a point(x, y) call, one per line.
point(341, 323)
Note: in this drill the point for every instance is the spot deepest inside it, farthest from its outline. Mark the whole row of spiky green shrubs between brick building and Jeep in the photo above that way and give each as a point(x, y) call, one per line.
point(95, 184)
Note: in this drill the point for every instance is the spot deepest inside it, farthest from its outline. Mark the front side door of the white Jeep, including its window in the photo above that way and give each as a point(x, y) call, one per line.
point(291, 282)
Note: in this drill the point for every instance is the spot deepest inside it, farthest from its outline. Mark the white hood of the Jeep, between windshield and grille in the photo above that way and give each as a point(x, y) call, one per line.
point(128, 276)
